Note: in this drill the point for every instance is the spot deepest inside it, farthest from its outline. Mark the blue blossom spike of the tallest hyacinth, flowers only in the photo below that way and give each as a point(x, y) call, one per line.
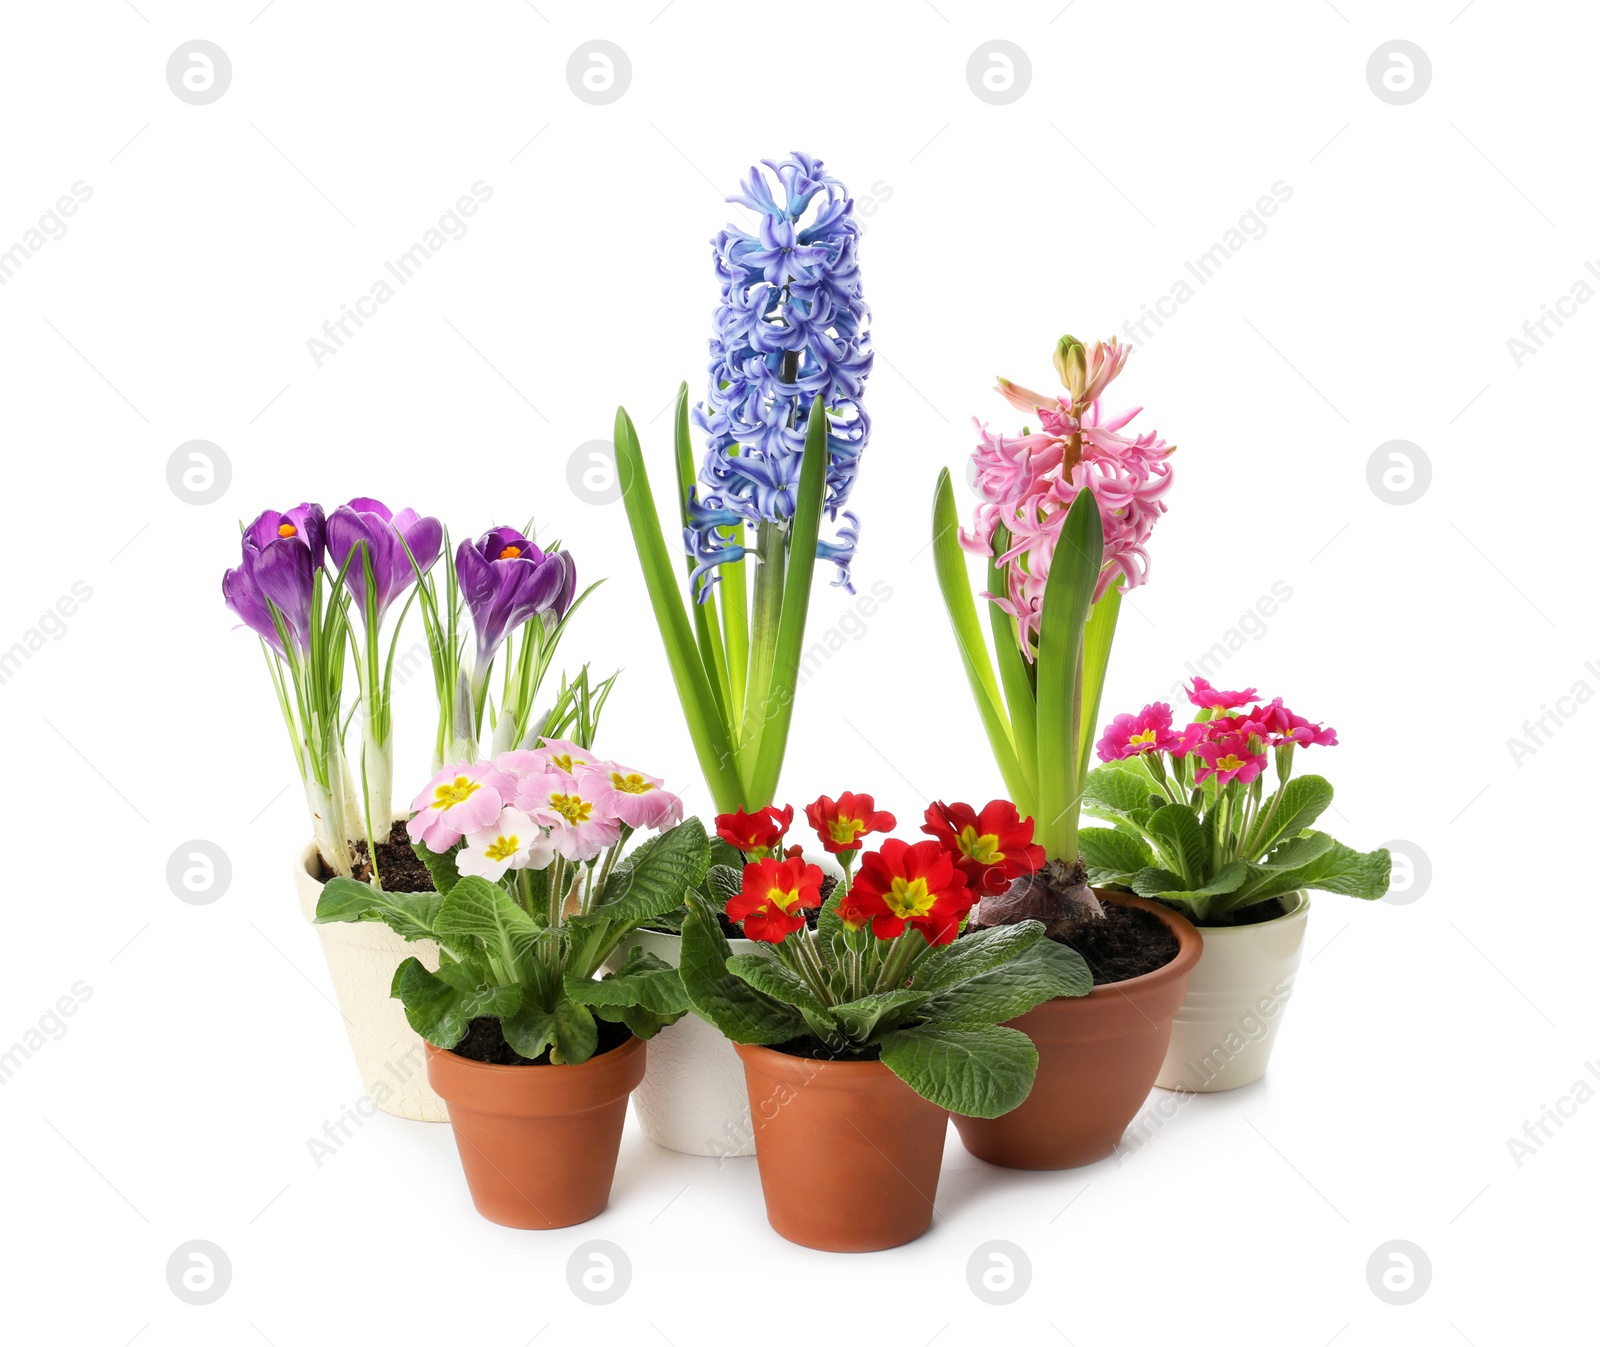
point(791, 326)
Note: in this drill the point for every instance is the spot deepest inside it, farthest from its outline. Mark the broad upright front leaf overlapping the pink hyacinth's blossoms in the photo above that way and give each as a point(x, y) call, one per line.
point(1074, 572)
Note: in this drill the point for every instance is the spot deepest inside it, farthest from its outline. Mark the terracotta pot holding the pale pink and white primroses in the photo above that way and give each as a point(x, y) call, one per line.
point(538, 1143)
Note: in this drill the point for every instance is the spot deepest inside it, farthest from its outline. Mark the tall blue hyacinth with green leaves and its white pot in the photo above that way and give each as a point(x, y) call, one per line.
point(785, 434)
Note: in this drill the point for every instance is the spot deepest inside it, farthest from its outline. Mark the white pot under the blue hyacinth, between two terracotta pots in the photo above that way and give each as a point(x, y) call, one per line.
point(694, 1095)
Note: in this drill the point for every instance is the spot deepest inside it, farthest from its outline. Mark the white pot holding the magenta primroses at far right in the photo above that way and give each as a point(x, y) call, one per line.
point(1223, 1033)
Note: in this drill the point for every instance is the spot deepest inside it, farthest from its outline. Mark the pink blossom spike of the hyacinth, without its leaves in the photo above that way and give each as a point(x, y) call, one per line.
point(1028, 484)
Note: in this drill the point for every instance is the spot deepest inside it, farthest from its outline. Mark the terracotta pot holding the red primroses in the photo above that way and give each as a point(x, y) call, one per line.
point(849, 1153)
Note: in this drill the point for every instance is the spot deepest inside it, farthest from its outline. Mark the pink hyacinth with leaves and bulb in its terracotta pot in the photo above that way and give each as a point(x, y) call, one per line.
point(1065, 519)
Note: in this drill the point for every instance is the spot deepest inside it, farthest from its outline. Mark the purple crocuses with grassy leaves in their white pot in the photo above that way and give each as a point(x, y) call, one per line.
point(324, 593)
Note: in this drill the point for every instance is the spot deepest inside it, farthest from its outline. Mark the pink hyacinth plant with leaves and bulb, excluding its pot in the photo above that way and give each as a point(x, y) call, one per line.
point(1063, 521)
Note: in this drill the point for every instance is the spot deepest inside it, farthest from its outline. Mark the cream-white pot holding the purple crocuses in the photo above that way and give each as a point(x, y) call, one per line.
point(362, 961)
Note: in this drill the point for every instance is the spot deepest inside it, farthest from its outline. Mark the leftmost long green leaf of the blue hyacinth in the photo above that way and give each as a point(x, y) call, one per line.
point(713, 743)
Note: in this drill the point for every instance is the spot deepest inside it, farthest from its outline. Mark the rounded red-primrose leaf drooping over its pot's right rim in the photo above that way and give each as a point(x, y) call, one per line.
point(977, 1071)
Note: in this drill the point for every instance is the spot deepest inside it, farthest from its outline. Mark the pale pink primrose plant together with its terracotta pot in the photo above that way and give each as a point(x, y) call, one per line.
point(532, 1052)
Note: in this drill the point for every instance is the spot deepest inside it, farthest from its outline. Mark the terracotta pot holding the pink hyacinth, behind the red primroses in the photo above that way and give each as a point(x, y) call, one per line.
point(1098, 1058)
